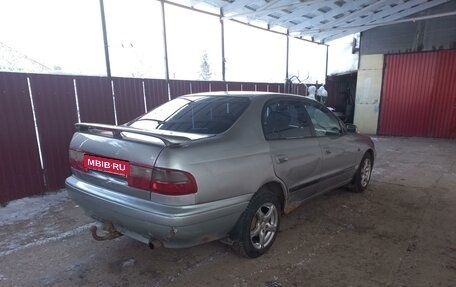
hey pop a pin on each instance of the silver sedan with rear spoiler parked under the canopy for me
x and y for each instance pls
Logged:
(214, 166)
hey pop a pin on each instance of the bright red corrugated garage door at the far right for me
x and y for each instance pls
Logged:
(419, 95)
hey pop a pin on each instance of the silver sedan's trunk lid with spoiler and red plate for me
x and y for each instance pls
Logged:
(114, 154)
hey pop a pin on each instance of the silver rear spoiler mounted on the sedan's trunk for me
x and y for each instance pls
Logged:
(117, 130)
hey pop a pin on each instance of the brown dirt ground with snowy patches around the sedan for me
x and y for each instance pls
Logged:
(400, 232)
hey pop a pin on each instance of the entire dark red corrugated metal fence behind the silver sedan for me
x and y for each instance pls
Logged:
(58, 101)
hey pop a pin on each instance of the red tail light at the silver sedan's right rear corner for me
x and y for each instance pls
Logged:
(161, 180)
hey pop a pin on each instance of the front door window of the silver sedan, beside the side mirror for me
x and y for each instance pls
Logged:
(324, 122)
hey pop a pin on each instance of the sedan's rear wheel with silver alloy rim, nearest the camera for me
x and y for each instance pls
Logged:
(258, 225)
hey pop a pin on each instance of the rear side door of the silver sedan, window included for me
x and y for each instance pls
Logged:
(295, 151)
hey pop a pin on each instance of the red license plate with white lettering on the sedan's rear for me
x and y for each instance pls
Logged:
(107, 164)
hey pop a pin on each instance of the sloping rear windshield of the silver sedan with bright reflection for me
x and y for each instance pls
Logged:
(199, 115)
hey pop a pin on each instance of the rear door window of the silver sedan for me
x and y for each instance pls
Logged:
(285, 119)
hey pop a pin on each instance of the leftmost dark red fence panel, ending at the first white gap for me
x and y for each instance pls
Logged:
(20, 169)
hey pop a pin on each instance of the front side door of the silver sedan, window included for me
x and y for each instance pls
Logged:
(339, 150)
